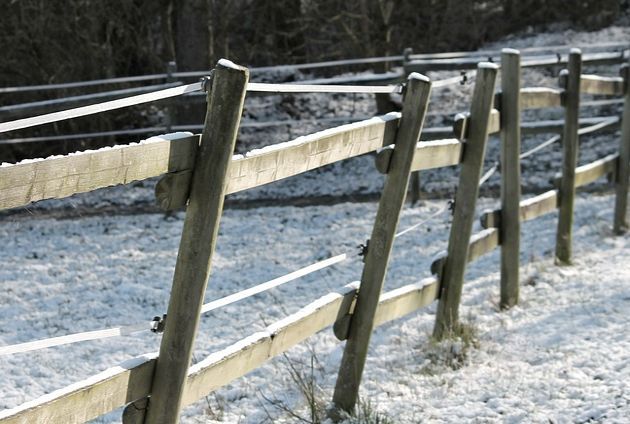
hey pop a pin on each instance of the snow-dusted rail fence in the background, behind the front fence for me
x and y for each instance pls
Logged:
(466, 62)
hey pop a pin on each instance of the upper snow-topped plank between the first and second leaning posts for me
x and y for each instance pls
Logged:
(291, 158)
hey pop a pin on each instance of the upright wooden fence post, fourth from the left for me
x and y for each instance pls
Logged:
(510, 233)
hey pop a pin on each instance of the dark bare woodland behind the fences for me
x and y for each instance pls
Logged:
(53, 41)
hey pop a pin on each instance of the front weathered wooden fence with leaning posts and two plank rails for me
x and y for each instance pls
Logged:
(198, 171)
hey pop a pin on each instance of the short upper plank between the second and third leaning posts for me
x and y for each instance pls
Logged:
(428, 155)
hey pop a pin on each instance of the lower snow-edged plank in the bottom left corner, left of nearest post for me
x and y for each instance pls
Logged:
(90, 398)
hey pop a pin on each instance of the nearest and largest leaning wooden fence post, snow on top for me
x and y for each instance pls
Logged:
(199, 235)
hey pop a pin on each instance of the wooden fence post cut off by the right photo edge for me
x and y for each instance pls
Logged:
(623, 171)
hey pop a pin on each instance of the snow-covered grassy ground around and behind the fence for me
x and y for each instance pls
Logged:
(562, 355)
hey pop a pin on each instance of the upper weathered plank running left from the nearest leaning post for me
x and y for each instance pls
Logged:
(62, 176)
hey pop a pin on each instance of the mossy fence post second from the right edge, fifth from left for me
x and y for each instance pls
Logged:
(570, 146)
